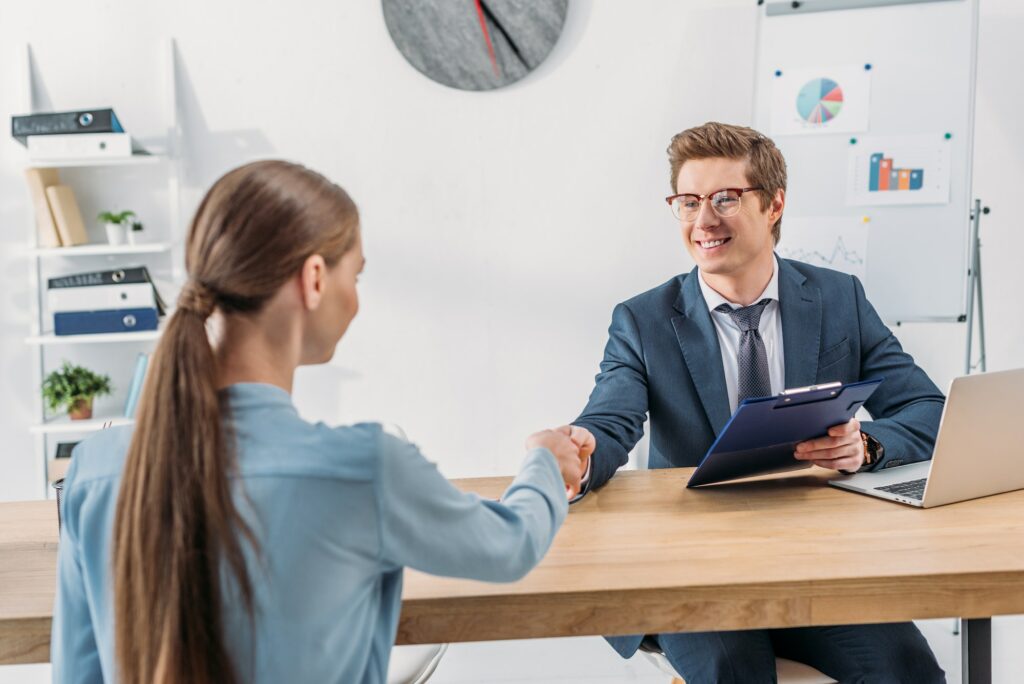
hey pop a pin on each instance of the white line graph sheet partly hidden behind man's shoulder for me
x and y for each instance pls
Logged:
(839, 243)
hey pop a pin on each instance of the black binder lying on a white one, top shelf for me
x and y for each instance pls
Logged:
(74, 136)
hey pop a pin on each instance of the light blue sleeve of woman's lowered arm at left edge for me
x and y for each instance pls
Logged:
(73, 639)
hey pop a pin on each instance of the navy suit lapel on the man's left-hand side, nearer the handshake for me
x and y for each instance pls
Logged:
(699, 343)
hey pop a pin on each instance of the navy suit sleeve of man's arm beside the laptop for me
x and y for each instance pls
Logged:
(908, 407)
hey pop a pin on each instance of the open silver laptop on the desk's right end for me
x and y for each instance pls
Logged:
(978, 451)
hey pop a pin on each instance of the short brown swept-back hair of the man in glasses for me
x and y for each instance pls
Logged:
(765, 166)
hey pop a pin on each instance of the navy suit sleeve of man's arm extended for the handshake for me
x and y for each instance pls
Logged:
(618, 406)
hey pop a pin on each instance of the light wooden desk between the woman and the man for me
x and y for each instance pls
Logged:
(645, 554)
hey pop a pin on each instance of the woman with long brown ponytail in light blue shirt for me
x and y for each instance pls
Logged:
(225, 540)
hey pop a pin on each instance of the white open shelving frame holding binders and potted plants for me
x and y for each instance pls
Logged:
(115, 351)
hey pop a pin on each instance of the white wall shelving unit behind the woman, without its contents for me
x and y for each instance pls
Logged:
(155, 176)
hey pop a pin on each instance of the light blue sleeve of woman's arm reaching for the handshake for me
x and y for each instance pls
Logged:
(430, 525)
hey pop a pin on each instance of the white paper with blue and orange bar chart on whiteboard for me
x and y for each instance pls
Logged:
(900, 170)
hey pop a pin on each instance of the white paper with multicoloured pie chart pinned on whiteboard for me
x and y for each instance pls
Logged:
(821, 101)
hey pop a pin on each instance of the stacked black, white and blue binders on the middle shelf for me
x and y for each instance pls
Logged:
(123, 301)
